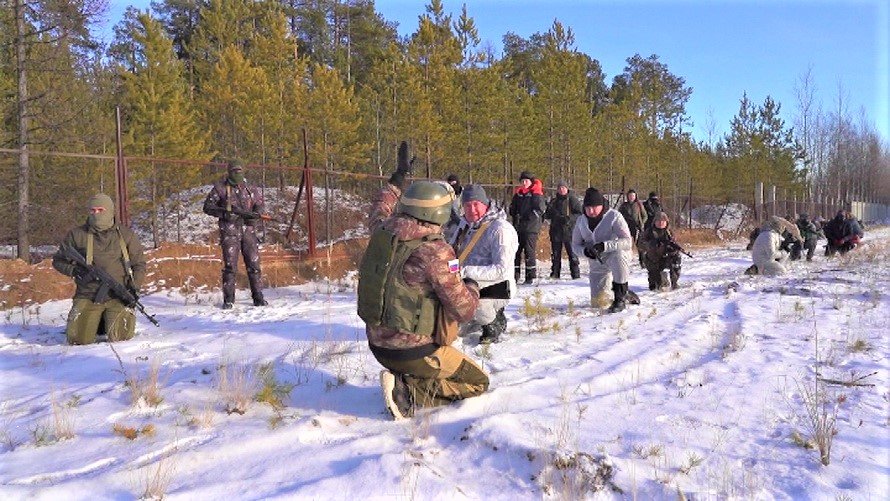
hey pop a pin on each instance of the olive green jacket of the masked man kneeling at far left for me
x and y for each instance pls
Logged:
(107, 255)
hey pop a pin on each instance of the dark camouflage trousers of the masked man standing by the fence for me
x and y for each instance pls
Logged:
(238, 239)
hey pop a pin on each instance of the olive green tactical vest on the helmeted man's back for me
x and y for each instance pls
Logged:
(384, 299)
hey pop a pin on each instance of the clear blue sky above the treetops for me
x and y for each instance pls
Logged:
(721, 48)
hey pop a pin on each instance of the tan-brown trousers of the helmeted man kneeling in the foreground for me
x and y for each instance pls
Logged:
(443, 377)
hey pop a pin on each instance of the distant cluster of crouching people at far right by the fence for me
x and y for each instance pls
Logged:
(779, 241)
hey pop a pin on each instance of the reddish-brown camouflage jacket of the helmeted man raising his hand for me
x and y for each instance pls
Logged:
(427, 269)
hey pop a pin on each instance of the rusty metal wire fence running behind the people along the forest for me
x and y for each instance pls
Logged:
(165, 199)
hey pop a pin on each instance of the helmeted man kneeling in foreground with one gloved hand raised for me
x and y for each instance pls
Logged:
(411, 297)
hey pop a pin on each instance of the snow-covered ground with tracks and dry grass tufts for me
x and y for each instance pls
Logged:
(701, 391)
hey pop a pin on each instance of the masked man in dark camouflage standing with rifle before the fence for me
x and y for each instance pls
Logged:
(239, 206)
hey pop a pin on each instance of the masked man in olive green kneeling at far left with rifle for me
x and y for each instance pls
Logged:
(107, 251)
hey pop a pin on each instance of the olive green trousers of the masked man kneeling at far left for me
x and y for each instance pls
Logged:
(85, 317)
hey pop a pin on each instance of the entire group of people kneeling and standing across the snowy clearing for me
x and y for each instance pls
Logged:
(443, 261)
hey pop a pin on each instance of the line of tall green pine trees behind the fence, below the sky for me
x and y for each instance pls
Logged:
(216, 79)
